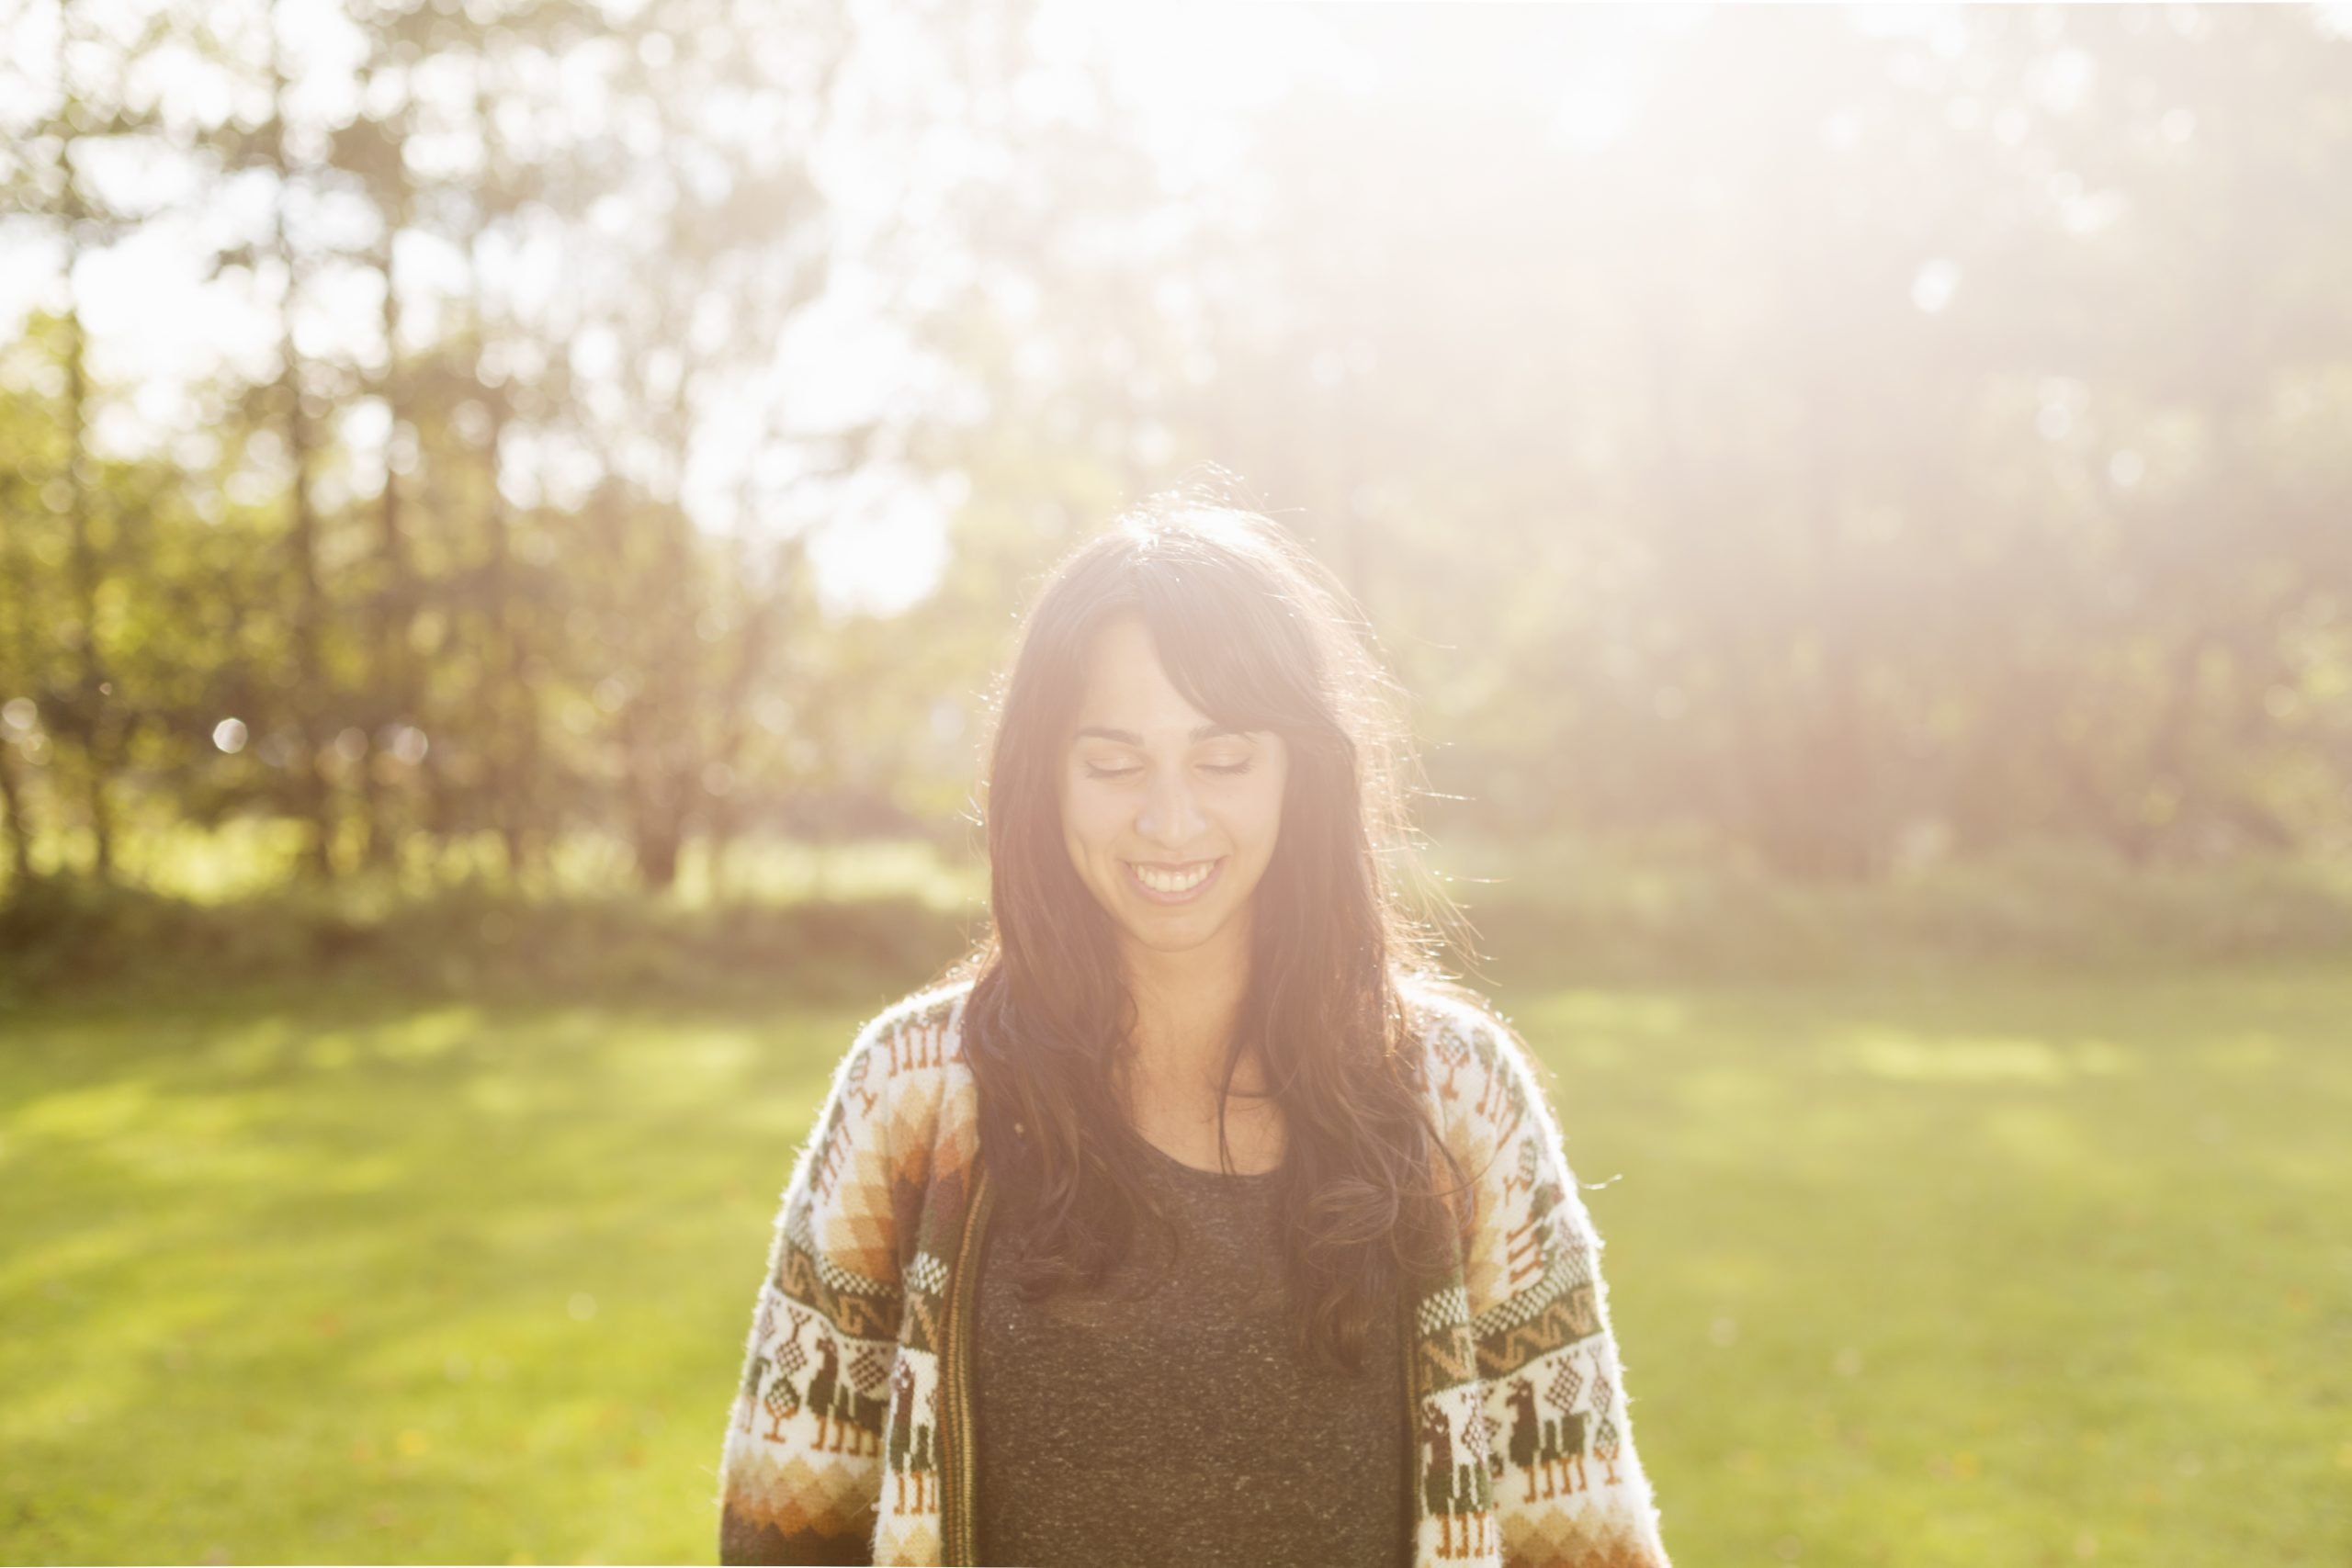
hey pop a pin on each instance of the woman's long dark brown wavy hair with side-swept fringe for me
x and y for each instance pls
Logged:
(1255, 634)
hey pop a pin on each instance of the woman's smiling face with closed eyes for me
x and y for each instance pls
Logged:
(1170, 817)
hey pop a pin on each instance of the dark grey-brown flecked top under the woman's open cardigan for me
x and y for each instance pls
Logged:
(1180, 1426)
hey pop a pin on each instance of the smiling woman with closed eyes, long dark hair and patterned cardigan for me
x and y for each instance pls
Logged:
(1194, 1219)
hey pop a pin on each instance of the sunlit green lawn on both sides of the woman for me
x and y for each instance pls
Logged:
(1979, 1273)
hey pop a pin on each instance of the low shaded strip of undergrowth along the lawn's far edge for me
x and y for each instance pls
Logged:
(1563, 913)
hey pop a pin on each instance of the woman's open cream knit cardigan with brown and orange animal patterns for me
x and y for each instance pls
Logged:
(850, 1440)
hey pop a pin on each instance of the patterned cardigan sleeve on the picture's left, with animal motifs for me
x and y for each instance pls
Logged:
(801, 1473)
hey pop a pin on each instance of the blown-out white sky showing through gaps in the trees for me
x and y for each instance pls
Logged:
(161, 326)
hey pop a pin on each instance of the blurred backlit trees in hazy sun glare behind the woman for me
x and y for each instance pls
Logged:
(1840, 443)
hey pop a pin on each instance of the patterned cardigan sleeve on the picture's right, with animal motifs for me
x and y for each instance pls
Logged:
(1570, 1487)
